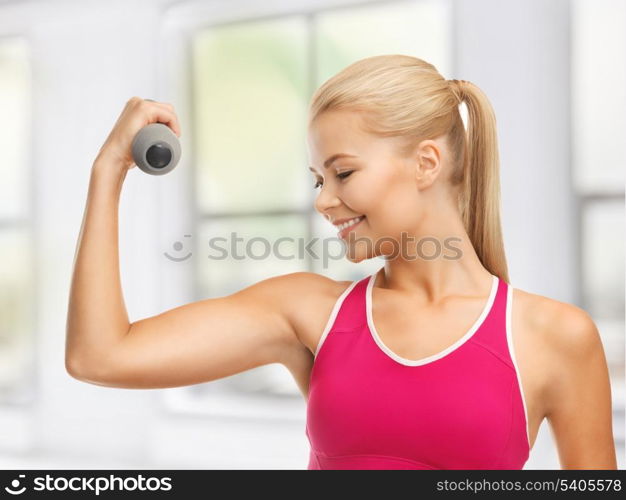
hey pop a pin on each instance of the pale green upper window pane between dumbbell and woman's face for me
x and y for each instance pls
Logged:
(250, 97)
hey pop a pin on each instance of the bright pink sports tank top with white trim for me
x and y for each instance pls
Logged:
(462, 408)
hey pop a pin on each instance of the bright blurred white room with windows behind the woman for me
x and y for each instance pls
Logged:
(240, 74)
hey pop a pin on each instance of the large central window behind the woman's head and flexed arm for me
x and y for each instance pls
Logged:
(252, 82)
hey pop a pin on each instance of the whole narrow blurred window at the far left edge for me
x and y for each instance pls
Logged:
(16, 277)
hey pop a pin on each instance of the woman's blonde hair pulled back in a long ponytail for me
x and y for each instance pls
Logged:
(405, 97)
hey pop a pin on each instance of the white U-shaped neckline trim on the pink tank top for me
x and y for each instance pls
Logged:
(439, 355)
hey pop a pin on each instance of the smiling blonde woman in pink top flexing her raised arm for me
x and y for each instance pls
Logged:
(434, 361)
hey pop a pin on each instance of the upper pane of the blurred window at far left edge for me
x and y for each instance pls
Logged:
(15, 106)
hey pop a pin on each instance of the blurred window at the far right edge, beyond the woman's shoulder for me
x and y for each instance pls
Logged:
(599, 161)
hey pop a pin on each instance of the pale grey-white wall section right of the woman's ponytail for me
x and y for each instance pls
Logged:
(518, 53)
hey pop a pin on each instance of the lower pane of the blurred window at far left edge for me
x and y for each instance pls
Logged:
(16, 315)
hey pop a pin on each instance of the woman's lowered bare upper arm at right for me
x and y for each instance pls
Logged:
(579, 407)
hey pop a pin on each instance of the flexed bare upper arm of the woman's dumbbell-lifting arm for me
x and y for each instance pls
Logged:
(205, 340)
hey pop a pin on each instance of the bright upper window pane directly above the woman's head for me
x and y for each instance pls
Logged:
(413, 28)
